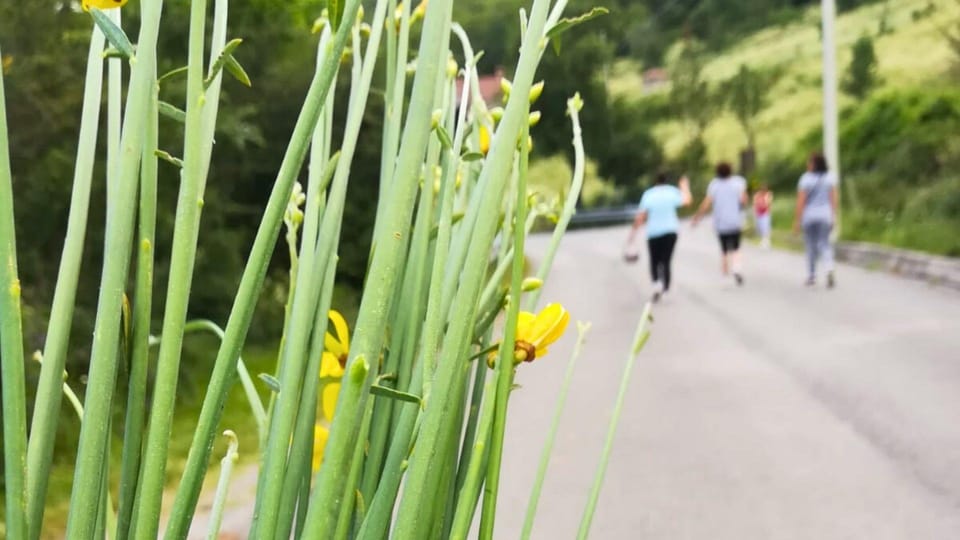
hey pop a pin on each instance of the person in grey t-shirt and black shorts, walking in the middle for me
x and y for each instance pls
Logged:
(727, 195)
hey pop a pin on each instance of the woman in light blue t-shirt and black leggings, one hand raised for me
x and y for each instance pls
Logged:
(658, 215)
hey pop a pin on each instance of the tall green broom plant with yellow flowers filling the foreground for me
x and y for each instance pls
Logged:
(416, 393)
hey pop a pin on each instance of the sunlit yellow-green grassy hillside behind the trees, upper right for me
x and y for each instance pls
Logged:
(912, 52)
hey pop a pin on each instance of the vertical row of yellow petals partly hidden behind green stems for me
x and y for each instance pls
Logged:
(334, 359)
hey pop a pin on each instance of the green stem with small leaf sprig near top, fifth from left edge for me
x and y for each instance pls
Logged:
(183, 255)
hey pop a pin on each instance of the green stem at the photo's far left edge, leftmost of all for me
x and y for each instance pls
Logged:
(11, 349)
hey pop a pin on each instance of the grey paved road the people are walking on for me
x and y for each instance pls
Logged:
(772, 411)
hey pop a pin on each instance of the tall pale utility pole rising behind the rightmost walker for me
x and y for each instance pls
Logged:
(831, 145)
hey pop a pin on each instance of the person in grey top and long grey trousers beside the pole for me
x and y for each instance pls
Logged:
(816, 214)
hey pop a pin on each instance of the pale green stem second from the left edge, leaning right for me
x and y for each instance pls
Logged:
(46, 407)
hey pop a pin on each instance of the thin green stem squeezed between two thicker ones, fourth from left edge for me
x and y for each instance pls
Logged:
(142, 317)
